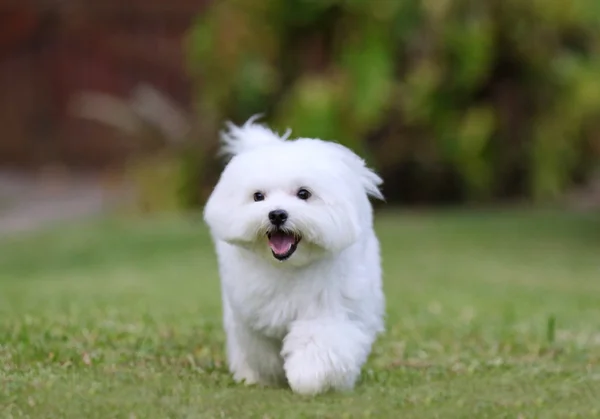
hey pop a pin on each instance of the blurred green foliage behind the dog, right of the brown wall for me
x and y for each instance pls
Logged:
(500, 97)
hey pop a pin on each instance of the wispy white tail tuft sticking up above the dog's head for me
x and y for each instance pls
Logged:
(251, 135)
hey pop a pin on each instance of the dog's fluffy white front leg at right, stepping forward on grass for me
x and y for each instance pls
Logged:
(324, 354)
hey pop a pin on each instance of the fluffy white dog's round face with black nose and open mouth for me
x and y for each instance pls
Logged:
(296, 201)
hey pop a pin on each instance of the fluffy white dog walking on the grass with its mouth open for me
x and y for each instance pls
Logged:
(298, 259)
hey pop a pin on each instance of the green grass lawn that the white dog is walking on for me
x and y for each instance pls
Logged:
(489, 315)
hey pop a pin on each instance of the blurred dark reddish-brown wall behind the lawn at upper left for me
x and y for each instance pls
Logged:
(48, 55)
